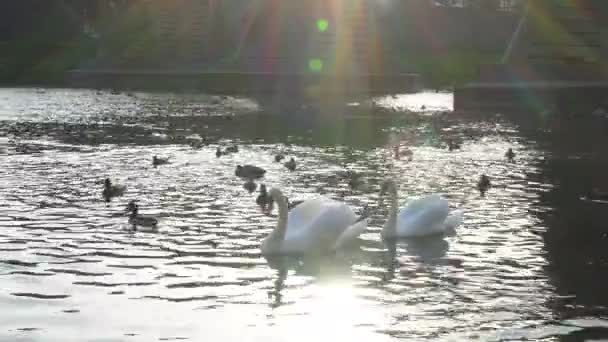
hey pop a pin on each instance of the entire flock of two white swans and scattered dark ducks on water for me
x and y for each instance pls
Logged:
(322, 224)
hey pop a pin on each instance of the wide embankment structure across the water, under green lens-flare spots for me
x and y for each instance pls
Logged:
(286, 47)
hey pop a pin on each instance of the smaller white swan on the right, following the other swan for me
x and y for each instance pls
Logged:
(429, 215)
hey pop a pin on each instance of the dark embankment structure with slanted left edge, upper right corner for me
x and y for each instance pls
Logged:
(553, 61)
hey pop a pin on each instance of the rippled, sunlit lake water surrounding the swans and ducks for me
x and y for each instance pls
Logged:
(529, 262)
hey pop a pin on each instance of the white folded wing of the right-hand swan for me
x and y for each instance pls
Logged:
(424, 216)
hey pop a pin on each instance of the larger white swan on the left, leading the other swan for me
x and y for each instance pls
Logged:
(316, 225)
